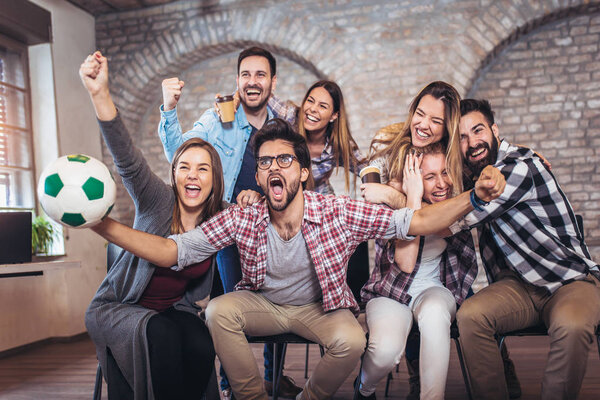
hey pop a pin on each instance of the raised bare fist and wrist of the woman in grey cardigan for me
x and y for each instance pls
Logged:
(94, 75)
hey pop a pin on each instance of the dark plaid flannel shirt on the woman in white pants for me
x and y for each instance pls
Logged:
(458, 268)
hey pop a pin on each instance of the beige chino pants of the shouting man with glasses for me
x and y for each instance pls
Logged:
(233, 315)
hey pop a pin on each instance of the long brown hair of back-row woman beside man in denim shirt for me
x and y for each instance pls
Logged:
(342, 142)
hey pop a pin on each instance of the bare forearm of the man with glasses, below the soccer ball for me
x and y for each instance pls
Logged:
(158, 250)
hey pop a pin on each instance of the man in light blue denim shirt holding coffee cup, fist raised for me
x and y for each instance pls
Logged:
(256, 79)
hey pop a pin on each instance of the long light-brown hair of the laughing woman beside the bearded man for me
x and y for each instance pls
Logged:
(396, 147)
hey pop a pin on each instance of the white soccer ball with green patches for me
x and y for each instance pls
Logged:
(77, 191)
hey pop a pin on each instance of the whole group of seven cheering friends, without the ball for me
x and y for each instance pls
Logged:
(461, 218)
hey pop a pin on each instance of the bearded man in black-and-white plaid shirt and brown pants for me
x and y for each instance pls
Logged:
(534, 252)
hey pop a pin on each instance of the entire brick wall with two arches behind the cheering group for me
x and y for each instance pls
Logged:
(380, 52)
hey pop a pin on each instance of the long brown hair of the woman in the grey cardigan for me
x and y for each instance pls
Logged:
(214, 202)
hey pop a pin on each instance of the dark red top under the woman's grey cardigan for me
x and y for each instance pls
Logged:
(167, 286)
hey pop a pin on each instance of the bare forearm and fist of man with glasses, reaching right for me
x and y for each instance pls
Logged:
(436, 217)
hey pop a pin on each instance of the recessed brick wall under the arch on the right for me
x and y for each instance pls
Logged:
(545, 89)
